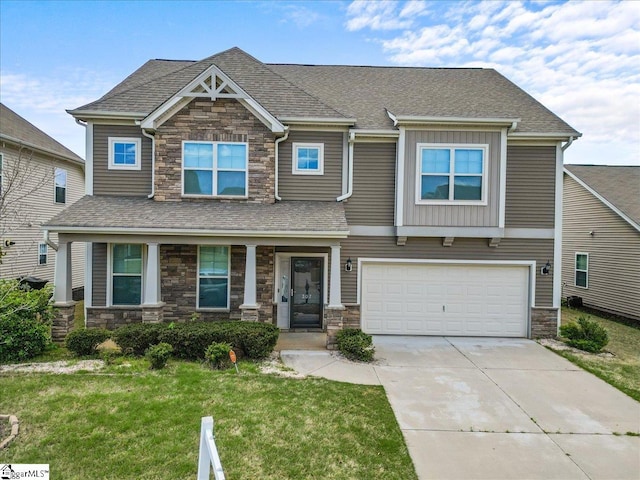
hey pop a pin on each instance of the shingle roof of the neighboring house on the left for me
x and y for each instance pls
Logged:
(15, 128)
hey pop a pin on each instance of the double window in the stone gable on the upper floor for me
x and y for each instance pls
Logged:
(214, 169)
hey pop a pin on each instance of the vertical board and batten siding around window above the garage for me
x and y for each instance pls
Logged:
(452, 215)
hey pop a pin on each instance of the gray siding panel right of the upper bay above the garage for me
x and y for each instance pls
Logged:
(530, 196)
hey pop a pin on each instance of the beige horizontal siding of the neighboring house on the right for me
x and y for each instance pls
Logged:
(613, 278)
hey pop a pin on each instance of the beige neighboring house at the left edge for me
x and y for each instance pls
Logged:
(39, 178)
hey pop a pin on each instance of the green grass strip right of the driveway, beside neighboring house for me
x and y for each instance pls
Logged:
(623, 369)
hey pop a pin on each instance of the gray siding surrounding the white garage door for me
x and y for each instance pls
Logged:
(536, 250)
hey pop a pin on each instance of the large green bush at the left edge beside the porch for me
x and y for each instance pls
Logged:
(25, 321)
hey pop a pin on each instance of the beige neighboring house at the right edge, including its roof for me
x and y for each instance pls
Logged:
(601, 237)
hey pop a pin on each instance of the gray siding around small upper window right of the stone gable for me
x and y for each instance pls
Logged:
(325, 187)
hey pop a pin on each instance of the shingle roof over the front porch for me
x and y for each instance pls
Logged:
(143, 214)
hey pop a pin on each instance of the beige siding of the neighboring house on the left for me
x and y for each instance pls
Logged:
(34, 209)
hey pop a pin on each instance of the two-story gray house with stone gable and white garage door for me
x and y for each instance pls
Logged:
(412, 201)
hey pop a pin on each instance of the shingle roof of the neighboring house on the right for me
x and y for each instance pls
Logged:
(619, 185)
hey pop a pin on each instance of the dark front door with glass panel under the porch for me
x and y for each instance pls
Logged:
(306, 292)
